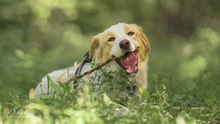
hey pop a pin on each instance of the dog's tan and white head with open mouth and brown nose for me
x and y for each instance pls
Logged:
(124, 41)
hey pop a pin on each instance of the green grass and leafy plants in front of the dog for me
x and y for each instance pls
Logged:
(194, 102)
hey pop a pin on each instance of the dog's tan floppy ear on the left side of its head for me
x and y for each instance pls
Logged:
(94, 46)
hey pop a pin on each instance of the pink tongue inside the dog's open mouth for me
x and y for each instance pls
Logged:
(129, 61)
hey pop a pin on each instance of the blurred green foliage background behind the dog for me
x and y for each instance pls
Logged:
(39, 36)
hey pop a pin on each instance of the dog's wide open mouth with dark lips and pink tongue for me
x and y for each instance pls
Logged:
(129, 63)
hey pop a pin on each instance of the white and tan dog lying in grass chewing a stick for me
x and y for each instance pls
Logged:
(126, 42)
